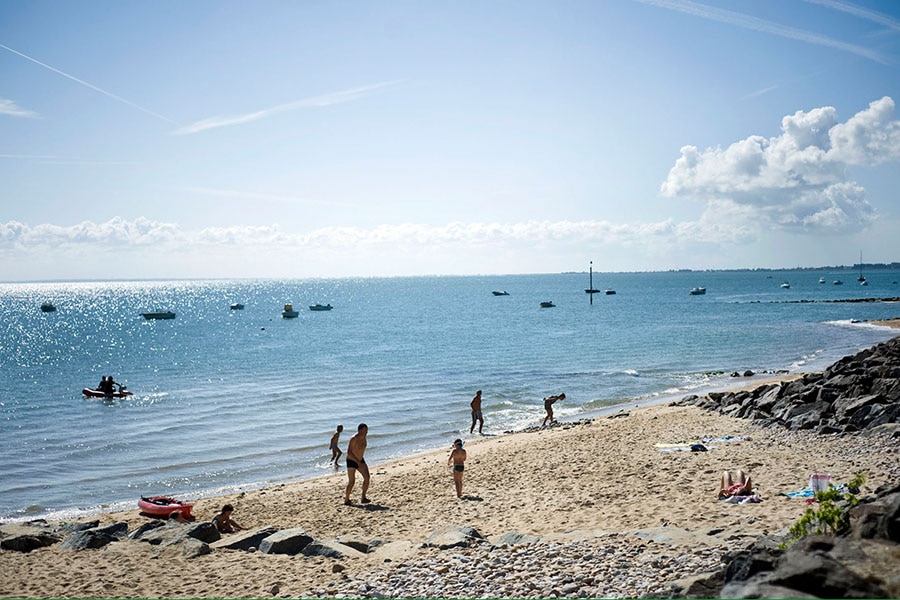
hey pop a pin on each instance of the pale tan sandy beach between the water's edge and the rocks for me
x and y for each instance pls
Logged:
(574, 482)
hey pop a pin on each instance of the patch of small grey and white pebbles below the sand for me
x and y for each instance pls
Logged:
(604, 567)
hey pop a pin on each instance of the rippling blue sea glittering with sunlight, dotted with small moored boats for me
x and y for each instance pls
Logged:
(227, 400)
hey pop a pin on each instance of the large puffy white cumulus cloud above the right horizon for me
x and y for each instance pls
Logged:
(797, 180)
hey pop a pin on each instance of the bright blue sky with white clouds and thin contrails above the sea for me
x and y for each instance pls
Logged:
(305, 139)
